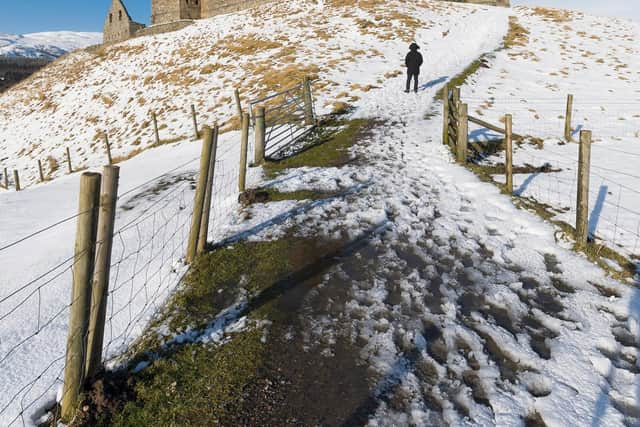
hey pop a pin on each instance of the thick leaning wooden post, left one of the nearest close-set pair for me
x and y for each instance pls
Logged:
(83, 266)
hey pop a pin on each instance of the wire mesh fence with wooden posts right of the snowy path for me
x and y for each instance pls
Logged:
(546, 161)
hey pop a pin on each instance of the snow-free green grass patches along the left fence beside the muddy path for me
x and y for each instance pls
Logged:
(192, 383)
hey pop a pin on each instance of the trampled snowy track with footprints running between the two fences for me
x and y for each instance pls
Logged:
(461, 309)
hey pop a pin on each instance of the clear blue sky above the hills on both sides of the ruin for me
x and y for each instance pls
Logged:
(27, 16)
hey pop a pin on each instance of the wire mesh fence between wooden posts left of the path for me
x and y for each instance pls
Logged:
(152, 228)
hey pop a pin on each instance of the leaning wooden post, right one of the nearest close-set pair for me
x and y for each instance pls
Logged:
(106, 223)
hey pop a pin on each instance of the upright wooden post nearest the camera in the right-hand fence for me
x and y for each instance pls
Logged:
(582, 209)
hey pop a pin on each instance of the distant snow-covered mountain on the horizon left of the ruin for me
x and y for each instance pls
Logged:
(48, 45)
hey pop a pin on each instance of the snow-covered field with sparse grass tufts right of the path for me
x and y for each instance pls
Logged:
(597, 62)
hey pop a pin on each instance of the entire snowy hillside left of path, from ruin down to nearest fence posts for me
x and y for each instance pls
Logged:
(114, 89)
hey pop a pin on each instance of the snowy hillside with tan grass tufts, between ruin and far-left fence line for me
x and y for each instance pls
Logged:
(113, 89)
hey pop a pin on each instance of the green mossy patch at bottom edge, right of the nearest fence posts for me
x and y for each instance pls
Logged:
(198, 385)
